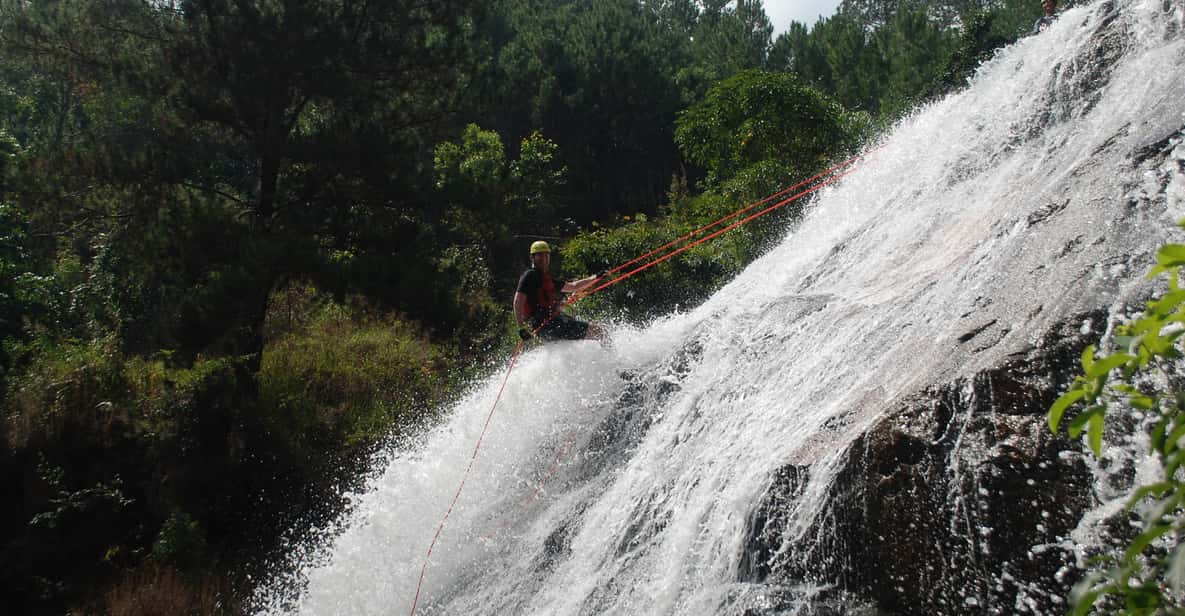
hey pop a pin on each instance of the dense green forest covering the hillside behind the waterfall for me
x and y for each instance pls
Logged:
(248, 245)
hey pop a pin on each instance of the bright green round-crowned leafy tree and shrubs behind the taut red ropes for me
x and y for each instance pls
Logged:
(755, 134)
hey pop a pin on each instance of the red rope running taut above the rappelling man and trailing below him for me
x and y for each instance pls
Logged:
(578, 297)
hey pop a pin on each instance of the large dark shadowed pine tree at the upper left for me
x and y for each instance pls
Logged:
(300, 123)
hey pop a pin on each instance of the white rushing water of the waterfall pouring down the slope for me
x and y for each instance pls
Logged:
(620, 480)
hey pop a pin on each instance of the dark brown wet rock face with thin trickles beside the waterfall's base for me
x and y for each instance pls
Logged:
(959, 502)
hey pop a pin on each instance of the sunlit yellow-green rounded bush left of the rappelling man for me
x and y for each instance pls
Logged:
(347, 380)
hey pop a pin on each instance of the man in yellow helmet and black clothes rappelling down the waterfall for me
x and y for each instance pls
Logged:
(539, 301)
